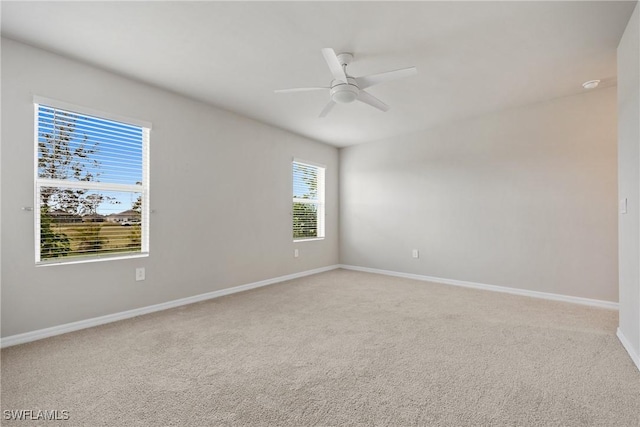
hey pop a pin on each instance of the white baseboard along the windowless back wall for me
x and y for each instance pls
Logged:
(504, 289)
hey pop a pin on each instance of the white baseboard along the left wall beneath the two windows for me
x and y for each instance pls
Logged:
(88, 323)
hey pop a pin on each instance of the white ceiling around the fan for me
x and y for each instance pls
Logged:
(472, 57)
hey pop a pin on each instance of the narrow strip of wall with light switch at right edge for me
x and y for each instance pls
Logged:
(629, 180)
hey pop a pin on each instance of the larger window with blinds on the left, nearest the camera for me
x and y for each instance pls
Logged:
(92, 186)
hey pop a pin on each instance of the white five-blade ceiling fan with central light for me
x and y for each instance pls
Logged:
(345, 88)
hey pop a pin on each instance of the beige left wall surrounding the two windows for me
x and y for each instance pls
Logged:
(220, 188)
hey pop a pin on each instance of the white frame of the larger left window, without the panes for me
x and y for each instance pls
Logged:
(143, 189)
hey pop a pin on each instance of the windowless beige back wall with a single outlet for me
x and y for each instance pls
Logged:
(524, 198)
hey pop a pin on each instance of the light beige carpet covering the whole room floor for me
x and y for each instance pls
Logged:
(338, 348)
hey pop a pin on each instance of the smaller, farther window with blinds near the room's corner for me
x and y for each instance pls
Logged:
(308, 200)
